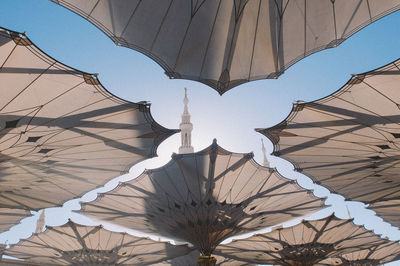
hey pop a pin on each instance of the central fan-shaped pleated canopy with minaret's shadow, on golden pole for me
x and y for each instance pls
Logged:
(204, 198)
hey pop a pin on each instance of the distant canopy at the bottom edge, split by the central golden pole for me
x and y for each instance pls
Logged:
(191, 260)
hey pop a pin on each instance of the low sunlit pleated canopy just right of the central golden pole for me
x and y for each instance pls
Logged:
(306, 243)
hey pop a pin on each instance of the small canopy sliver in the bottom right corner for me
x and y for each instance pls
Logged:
(375, 255)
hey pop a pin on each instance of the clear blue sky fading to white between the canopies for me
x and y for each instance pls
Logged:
(230, 118)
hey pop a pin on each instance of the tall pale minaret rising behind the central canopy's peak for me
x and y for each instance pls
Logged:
(186, 129)
